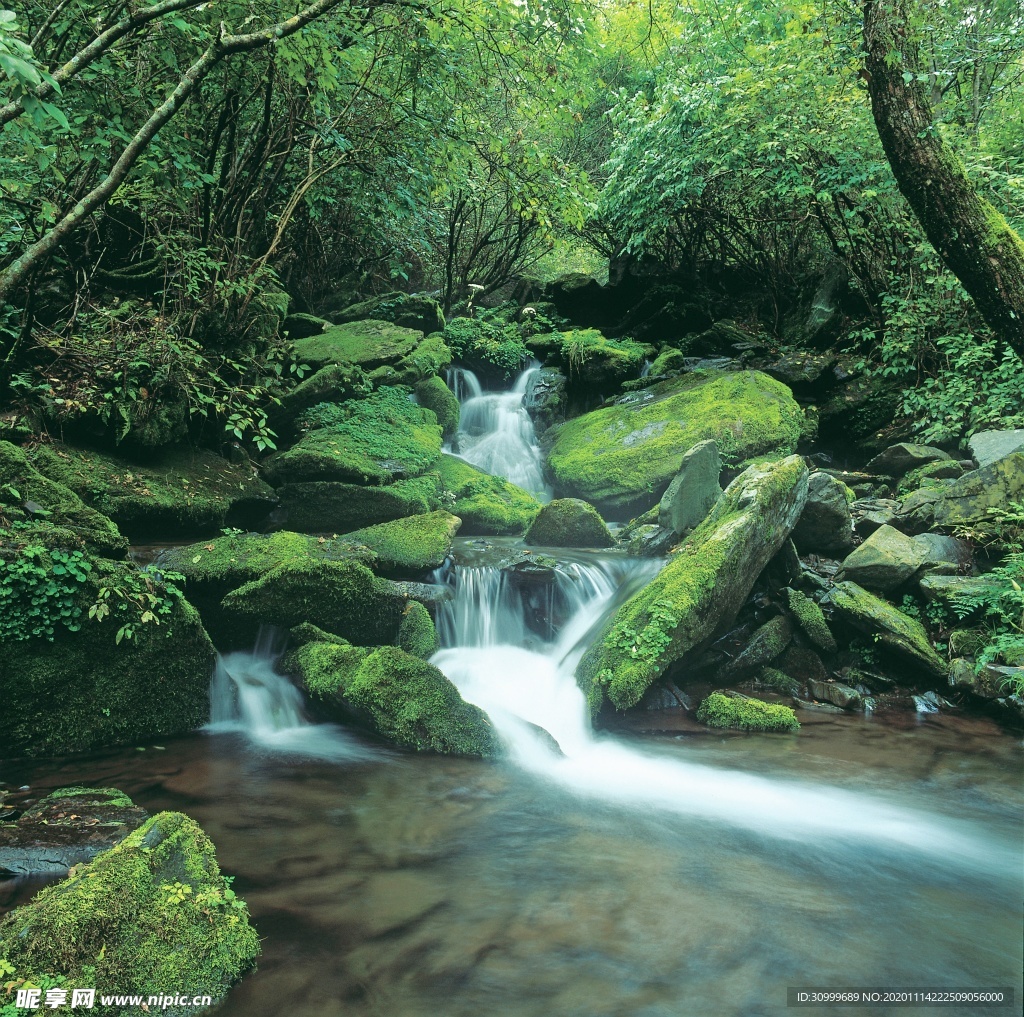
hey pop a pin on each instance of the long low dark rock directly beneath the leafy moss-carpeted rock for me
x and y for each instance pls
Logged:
(332, 507)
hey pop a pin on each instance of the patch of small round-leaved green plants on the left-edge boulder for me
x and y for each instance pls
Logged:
(40, 590)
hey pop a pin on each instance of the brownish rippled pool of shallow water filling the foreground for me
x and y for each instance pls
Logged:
(398, 885)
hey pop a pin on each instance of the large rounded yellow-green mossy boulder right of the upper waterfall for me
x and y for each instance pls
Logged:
(622, 458)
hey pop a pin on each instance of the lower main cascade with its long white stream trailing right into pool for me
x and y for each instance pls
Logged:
(529, 692)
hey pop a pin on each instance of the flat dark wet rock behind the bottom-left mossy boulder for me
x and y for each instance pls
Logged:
(69, 826)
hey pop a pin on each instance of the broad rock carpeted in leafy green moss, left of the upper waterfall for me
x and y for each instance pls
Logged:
(379, 440)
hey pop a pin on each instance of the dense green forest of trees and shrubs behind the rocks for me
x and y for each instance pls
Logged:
(176, 177)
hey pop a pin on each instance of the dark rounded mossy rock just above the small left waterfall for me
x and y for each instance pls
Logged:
(344, 598)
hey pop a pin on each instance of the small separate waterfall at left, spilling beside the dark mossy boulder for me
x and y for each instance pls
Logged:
(249, 696)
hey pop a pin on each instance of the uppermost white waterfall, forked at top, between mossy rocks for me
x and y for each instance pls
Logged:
(496, 433)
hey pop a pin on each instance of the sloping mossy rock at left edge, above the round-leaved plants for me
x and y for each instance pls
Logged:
(27, 496)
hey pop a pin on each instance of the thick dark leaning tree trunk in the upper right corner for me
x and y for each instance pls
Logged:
(973, 239)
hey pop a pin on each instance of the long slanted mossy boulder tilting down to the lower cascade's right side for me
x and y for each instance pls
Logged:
(702, 589)
